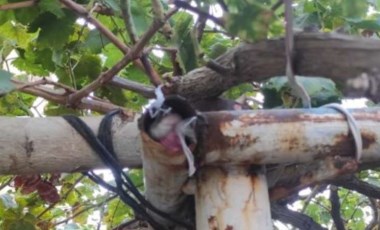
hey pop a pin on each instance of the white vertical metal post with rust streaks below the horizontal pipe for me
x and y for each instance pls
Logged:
(232, 198)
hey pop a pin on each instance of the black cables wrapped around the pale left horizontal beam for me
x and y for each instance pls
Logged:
(103, 146)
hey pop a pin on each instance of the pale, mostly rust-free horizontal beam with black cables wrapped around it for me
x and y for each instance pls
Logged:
(40, 145)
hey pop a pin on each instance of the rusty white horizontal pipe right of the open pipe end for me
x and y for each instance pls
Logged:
(286, 136)
